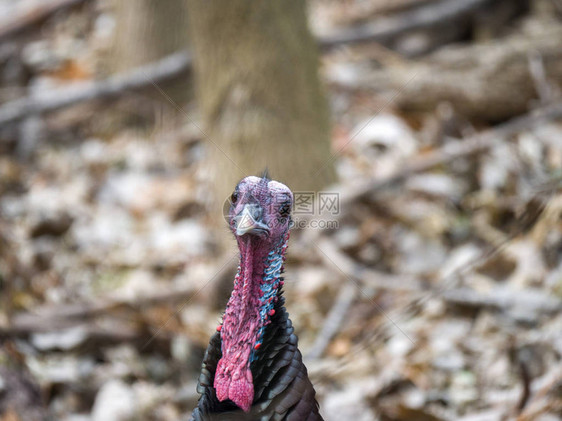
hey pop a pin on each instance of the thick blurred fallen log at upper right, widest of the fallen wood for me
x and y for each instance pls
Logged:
(477, 79)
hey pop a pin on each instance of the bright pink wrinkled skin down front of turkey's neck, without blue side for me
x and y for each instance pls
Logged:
(241, 325)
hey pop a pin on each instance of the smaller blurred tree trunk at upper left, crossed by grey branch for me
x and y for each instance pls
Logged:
(147, 30)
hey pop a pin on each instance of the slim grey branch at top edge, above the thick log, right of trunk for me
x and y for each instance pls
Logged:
(385, 29)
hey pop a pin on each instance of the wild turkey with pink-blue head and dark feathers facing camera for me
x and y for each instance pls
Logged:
(252, 369)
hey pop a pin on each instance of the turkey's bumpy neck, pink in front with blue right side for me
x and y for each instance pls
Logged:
(250, 307)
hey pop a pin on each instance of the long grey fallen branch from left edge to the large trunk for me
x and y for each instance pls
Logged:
(55, 99)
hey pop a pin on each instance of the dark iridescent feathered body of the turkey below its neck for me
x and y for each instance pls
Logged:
(283, 390)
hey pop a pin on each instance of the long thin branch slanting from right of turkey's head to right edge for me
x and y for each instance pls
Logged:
(451, 151)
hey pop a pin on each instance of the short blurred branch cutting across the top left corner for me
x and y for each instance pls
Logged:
(12, 25)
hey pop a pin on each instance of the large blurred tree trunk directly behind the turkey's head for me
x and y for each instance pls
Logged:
(256, 69)
